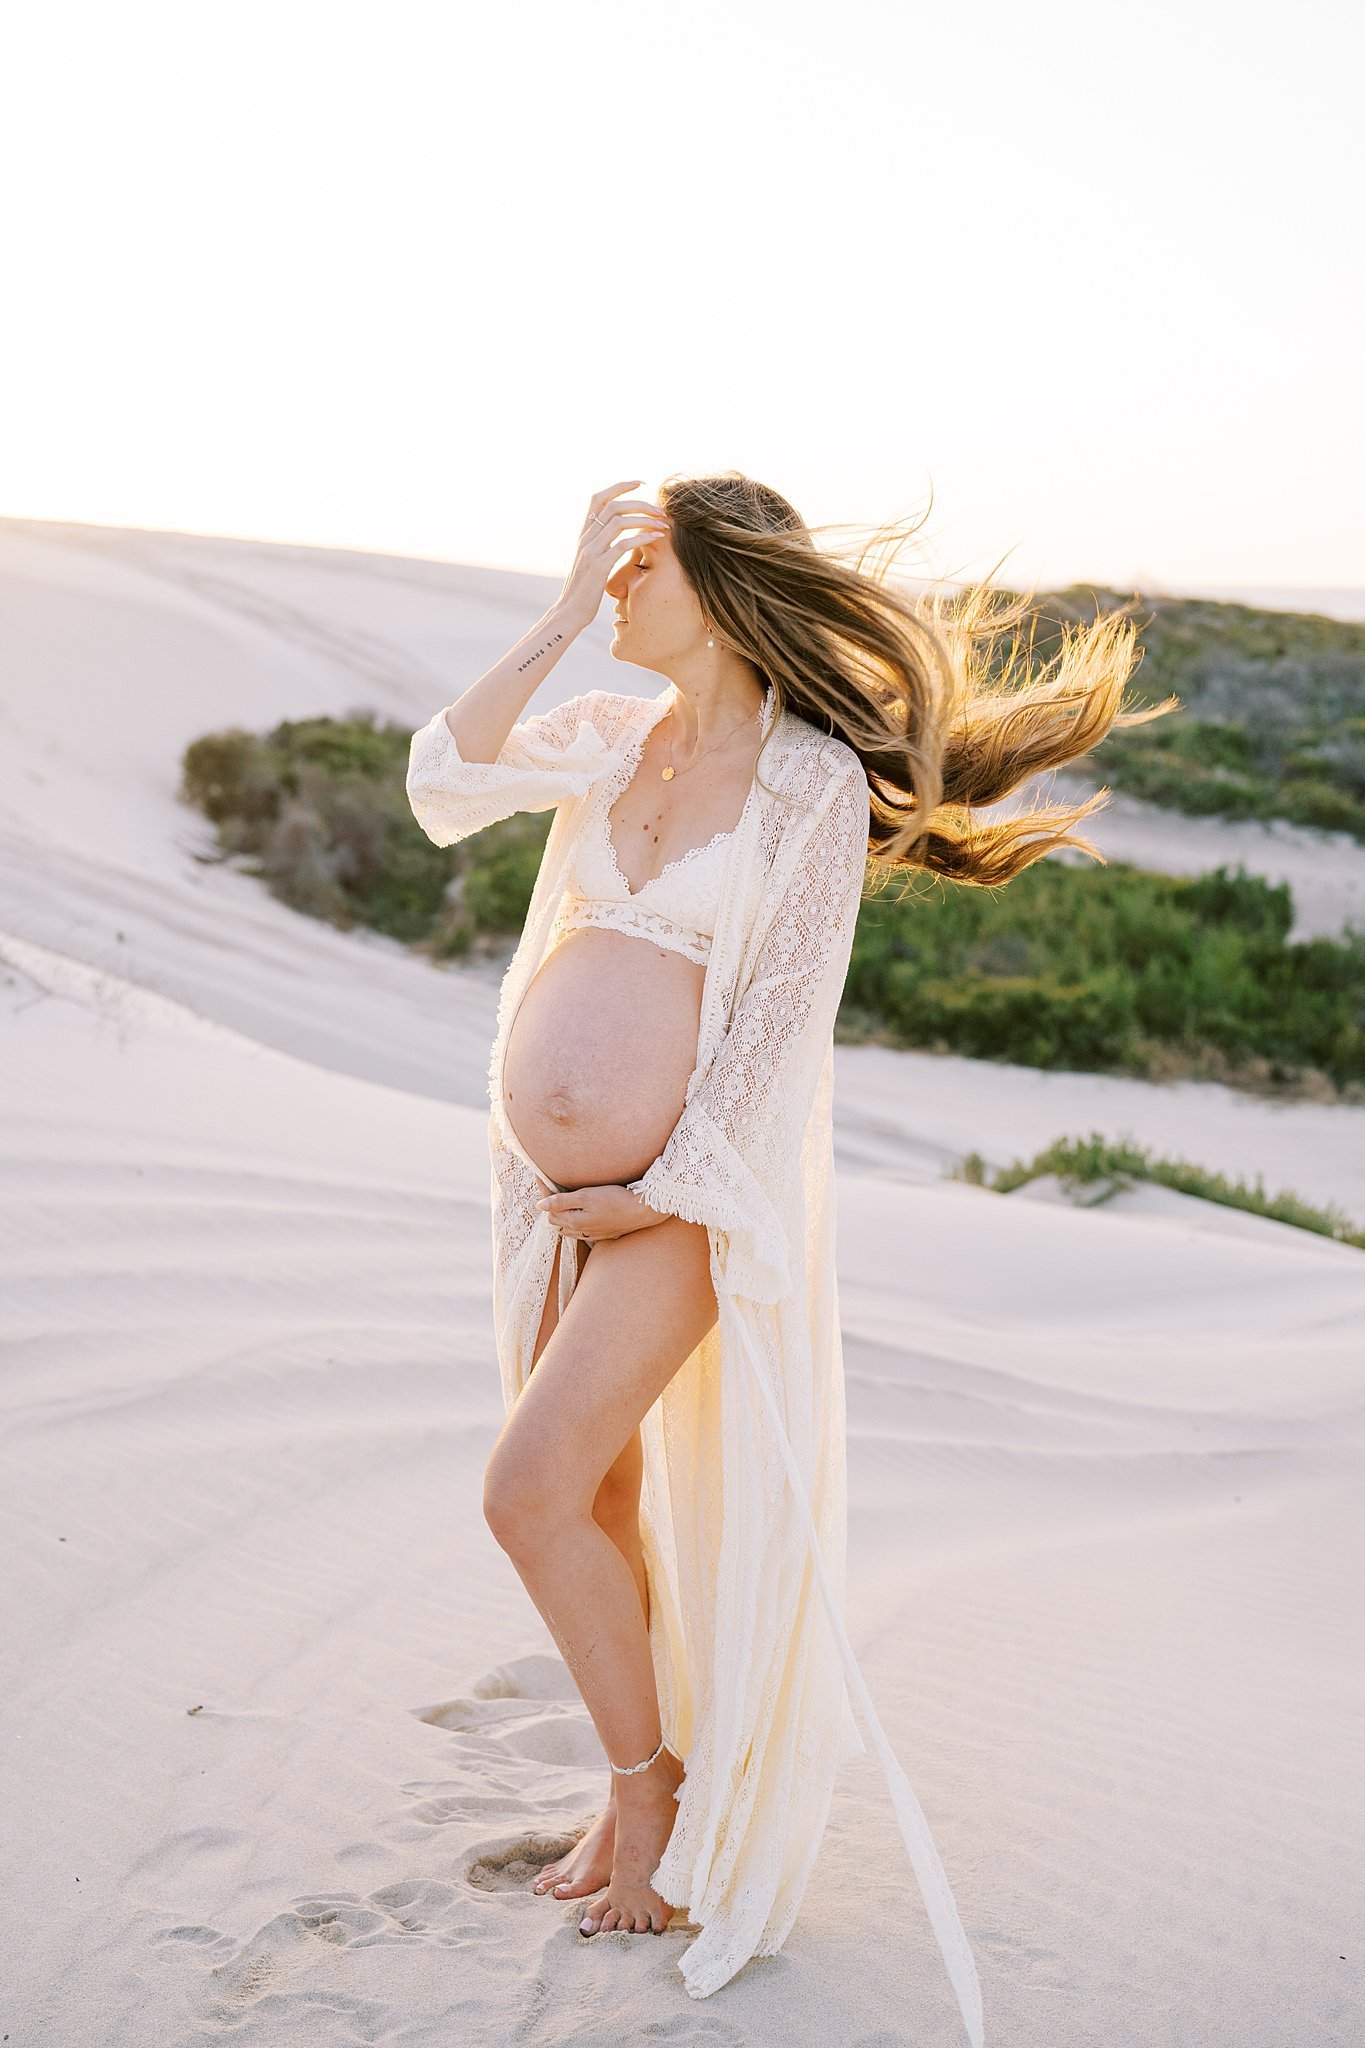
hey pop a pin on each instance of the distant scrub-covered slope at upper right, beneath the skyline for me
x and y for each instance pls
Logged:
(1272, 718)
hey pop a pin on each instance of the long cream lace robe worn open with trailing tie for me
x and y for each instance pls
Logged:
(744, 1498)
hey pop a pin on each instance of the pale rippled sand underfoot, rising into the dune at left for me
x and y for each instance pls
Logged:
(1106, 1463)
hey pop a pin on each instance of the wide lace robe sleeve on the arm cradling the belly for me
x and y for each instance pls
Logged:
(736, 1150)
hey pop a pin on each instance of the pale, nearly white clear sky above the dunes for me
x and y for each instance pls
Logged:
(423, 278)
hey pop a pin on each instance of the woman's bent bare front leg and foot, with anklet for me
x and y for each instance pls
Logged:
(642, 1308)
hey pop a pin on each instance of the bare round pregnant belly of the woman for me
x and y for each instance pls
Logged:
(601, 1054)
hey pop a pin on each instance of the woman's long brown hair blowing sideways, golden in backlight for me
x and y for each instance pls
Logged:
(916, 683)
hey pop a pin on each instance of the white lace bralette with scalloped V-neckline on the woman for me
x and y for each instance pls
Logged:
(676, 908)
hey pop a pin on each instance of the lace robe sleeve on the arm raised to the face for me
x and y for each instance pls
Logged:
(543, 761)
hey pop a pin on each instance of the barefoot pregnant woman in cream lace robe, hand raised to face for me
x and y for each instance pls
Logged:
(670, 1482)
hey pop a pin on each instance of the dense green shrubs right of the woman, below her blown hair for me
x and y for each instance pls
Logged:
(1112, 970)
